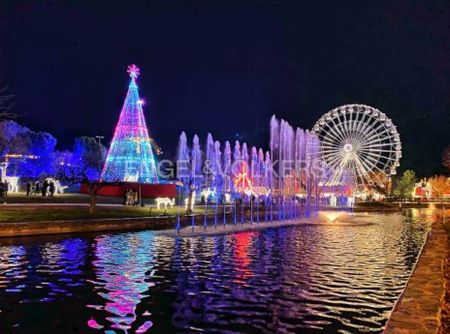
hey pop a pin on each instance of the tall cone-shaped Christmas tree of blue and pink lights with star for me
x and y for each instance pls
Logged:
(130, 156)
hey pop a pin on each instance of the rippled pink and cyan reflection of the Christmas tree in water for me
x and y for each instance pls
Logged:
(124, 269)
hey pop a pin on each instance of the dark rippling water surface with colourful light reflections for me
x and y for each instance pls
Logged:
(308, 279)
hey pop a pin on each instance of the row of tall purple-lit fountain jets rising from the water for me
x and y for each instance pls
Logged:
(289, 176)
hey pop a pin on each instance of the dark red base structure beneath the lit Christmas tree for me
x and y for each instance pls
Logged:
(118, 189)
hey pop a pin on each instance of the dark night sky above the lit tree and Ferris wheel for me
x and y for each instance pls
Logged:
(226, 67)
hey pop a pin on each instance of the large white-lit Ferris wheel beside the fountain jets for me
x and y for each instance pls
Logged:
(359, 140)
